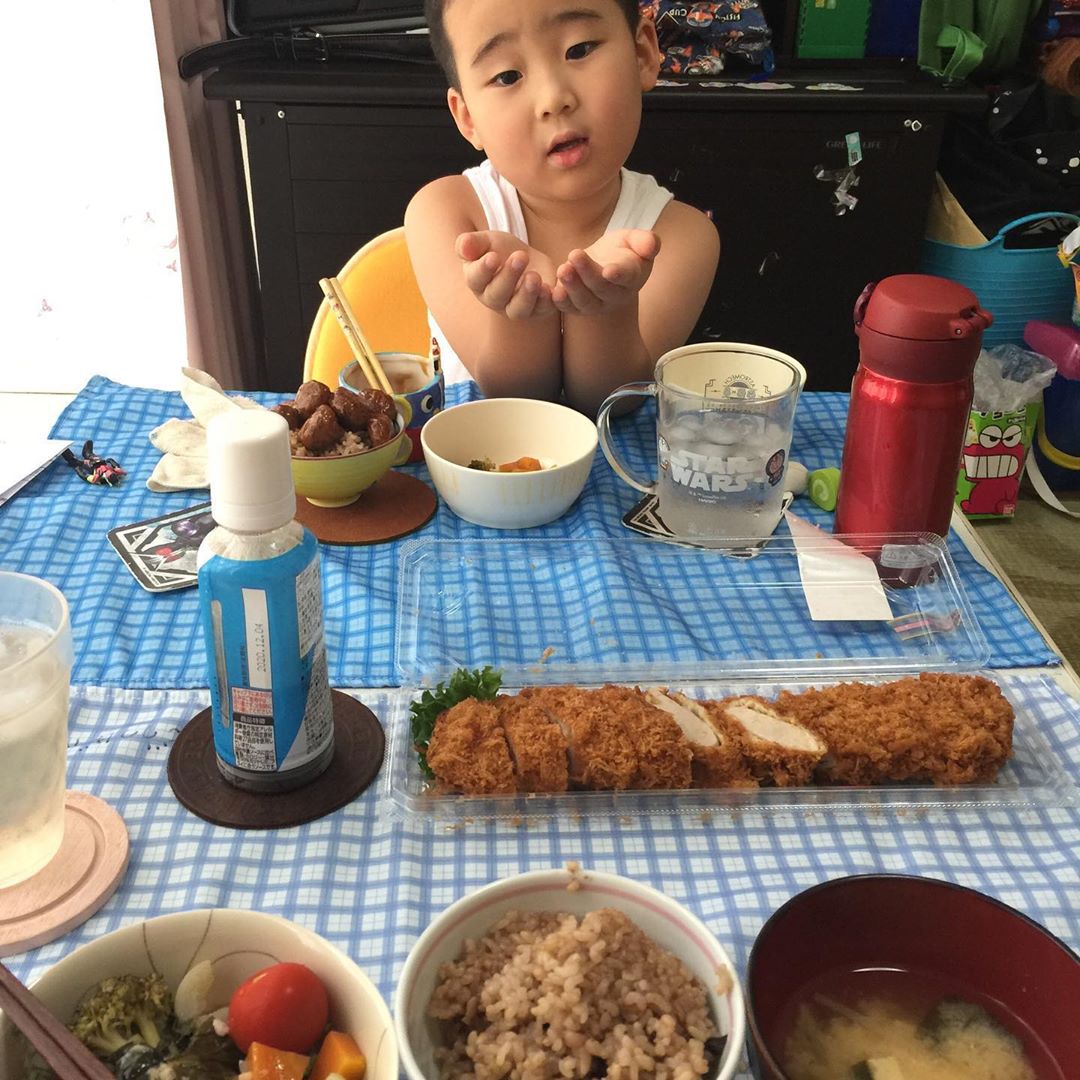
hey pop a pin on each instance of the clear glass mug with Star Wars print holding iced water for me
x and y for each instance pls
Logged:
(725, 414)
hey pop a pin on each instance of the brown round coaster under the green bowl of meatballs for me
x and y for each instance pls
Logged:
(391, 508)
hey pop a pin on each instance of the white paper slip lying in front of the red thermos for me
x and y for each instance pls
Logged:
(840, 583)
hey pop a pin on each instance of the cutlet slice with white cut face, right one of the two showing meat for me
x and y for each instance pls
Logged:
(776, 748)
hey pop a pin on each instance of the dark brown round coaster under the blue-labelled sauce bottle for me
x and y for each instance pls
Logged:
(359, 744)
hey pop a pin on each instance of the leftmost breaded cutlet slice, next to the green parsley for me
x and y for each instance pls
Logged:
(468, 750)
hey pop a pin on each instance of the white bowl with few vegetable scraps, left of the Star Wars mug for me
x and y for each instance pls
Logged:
(505, 429)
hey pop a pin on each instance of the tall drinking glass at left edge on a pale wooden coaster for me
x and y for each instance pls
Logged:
(35, 679)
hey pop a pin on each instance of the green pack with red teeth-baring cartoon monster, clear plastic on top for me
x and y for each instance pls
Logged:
(1009, 385)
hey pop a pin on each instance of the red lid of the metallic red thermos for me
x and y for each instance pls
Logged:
(920, 328)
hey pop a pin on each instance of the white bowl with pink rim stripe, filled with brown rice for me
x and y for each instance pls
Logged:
(569, 974)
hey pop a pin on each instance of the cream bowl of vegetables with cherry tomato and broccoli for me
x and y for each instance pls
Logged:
(213, 995)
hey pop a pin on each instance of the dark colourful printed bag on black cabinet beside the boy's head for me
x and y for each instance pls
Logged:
(703, 38)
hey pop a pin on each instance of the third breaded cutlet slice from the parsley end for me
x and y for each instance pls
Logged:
(601, 753)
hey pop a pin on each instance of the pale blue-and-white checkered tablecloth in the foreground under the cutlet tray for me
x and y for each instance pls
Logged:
(371, 885)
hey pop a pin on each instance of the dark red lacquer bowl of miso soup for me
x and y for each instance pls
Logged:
(928, 951)
